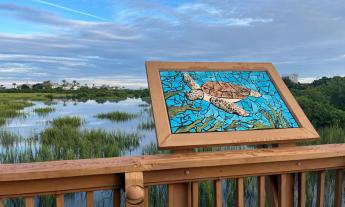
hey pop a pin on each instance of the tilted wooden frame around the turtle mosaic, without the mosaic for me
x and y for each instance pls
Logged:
(168, 140)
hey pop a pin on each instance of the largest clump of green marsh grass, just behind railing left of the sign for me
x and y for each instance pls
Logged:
(65, 140)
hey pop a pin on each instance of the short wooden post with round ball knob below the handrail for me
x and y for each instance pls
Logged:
(134, 188)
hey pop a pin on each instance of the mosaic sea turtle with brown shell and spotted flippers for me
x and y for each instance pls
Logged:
(223, 95)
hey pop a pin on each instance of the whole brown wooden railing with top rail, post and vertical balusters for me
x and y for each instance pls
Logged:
(182, 172)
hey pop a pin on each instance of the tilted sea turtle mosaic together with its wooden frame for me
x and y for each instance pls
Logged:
(198, 104)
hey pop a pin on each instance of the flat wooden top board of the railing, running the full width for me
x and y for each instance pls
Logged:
(87, 167)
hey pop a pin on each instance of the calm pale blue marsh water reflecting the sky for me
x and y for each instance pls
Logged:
(32, 123)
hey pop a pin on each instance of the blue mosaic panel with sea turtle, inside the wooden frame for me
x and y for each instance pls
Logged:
(223, 101)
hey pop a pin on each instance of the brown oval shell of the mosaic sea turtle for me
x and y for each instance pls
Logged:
(225, 90)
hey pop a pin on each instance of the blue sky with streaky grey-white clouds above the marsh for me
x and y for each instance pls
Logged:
(108, 41)
